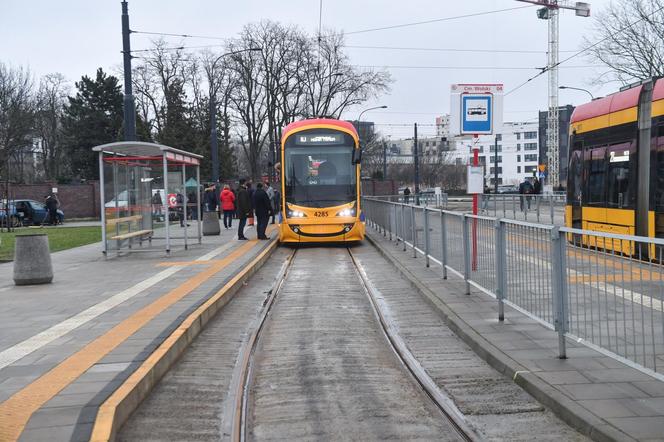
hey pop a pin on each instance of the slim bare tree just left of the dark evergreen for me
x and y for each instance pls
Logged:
(51, 100)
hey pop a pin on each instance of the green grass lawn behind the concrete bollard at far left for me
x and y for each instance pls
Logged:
(59, 238)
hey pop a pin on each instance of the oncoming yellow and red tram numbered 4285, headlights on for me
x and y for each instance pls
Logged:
(320, 182)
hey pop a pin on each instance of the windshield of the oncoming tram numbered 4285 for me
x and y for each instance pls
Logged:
(319, 169)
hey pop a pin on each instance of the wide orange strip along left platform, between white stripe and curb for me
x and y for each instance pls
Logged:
(16, 411)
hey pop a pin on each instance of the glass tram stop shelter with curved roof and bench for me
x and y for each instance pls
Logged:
(144, 189)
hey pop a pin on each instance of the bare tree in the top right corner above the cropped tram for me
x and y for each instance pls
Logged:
(631, 33)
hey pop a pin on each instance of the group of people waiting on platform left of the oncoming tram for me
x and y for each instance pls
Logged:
(243, 203)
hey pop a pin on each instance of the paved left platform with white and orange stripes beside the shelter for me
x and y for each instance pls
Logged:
(67, 346)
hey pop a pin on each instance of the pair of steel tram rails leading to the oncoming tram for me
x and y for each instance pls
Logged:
(453, 418)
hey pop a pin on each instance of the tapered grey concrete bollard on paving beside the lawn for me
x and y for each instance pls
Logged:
(32, 260)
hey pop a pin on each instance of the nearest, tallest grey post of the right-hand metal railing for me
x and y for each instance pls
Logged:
(559, 285)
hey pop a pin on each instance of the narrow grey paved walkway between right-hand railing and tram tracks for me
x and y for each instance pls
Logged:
(597, 394)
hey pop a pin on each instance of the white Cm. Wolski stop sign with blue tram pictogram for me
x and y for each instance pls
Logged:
(476, 109)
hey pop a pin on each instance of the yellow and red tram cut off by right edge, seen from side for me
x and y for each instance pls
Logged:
(615, 178)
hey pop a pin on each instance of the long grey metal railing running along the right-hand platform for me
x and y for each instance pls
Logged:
(603, 290)
